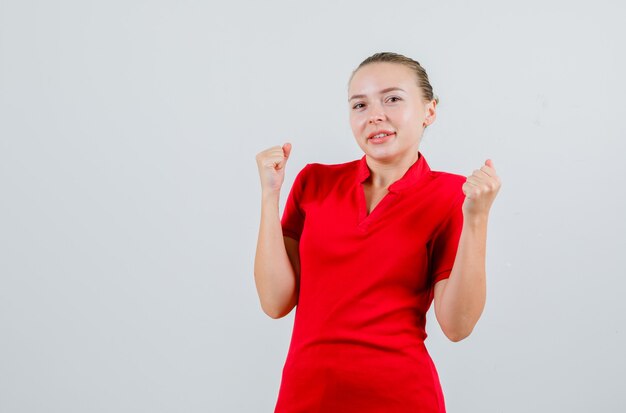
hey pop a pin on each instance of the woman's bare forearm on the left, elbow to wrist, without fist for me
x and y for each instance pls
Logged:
(273, 273)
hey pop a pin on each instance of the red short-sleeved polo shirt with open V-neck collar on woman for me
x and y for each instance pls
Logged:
(366, 283)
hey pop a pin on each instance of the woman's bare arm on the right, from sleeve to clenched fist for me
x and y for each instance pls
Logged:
(459, 300)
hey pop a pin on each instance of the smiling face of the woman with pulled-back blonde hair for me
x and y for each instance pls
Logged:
(385, 98)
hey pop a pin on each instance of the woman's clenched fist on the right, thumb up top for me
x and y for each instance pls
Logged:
(480, 189)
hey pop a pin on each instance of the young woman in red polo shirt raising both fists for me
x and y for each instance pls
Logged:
(365, 246)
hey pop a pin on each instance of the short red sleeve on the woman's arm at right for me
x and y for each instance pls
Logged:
(445, 243)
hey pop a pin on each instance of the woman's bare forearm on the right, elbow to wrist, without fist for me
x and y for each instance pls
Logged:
(462, 299)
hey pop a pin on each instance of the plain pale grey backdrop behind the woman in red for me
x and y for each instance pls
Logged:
(130, 197)
